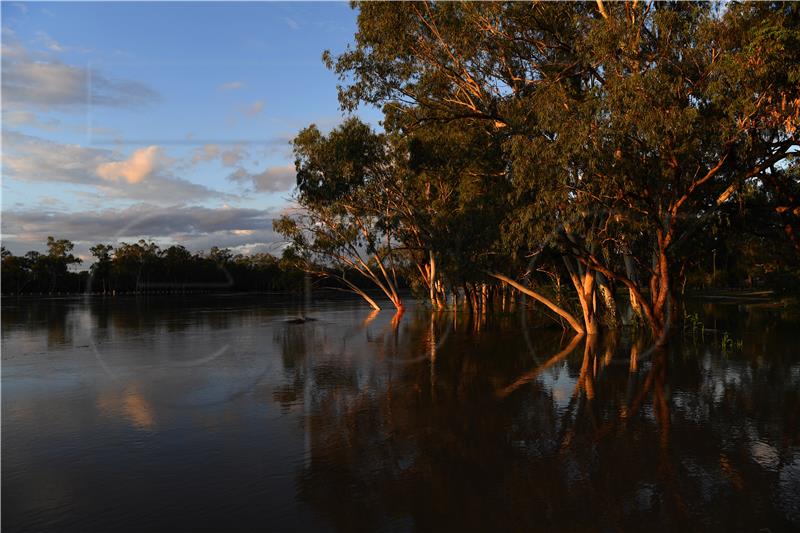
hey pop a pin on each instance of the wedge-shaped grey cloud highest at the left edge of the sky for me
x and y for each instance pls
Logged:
(46, 84)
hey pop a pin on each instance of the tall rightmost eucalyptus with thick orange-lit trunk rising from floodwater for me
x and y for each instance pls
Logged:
(685, 104)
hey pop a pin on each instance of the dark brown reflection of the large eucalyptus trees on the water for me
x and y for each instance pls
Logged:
(467, 438)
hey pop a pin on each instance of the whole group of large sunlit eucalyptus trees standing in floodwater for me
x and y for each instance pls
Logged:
(605, 137)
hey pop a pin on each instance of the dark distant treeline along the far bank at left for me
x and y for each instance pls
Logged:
(145, 267)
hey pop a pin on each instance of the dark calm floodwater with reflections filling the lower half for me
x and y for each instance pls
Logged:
(214, 414)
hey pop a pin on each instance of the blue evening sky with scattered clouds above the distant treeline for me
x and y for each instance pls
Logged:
(163, 121)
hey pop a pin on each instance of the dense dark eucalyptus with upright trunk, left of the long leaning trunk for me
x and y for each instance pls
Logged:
(452, 204)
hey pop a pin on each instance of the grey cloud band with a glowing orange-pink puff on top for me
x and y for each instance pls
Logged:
(144, 175)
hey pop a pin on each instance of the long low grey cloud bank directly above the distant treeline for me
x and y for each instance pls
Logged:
(195, 227)
